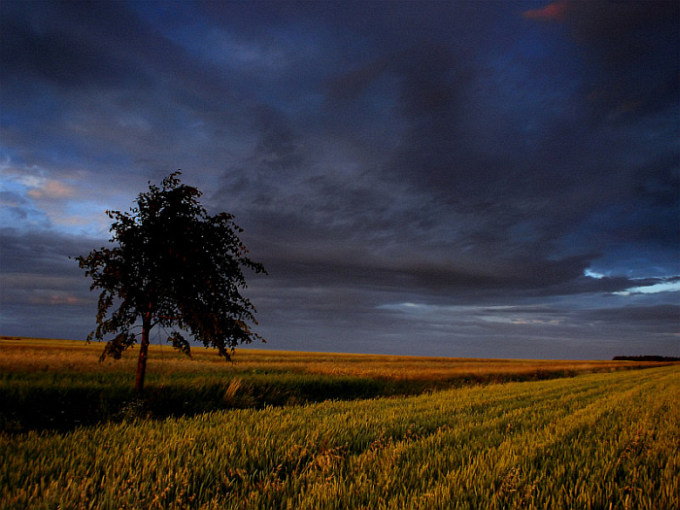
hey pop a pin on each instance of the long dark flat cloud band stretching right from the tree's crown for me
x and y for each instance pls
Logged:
(314, 263)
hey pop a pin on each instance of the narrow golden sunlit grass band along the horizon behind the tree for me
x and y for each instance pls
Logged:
(23, 354)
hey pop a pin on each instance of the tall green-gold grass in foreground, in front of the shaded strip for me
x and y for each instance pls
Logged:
(594, 441)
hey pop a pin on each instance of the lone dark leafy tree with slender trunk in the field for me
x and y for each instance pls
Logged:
(173, 266)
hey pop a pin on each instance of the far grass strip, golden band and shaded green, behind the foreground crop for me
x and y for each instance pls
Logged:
(60, 384)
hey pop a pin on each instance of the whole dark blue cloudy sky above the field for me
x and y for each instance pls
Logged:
(493, 179)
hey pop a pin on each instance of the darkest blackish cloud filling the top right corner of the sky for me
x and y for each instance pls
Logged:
(633, 50)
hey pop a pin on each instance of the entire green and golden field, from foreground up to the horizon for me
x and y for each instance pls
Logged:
(608, 438)
